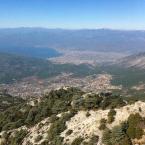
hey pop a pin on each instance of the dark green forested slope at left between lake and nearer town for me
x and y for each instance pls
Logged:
(15, 67)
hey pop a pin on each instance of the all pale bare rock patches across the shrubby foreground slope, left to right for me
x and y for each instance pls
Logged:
(81, 125)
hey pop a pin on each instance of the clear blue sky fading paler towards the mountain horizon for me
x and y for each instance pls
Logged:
(73, 14)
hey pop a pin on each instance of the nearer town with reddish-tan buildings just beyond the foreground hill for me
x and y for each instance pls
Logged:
(34, 87)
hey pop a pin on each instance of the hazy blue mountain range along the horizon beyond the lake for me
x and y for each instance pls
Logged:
(85, 39)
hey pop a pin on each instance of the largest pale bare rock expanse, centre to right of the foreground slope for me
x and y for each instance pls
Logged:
(87, 126)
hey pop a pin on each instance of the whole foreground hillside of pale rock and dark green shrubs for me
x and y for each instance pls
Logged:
(70, 116)
